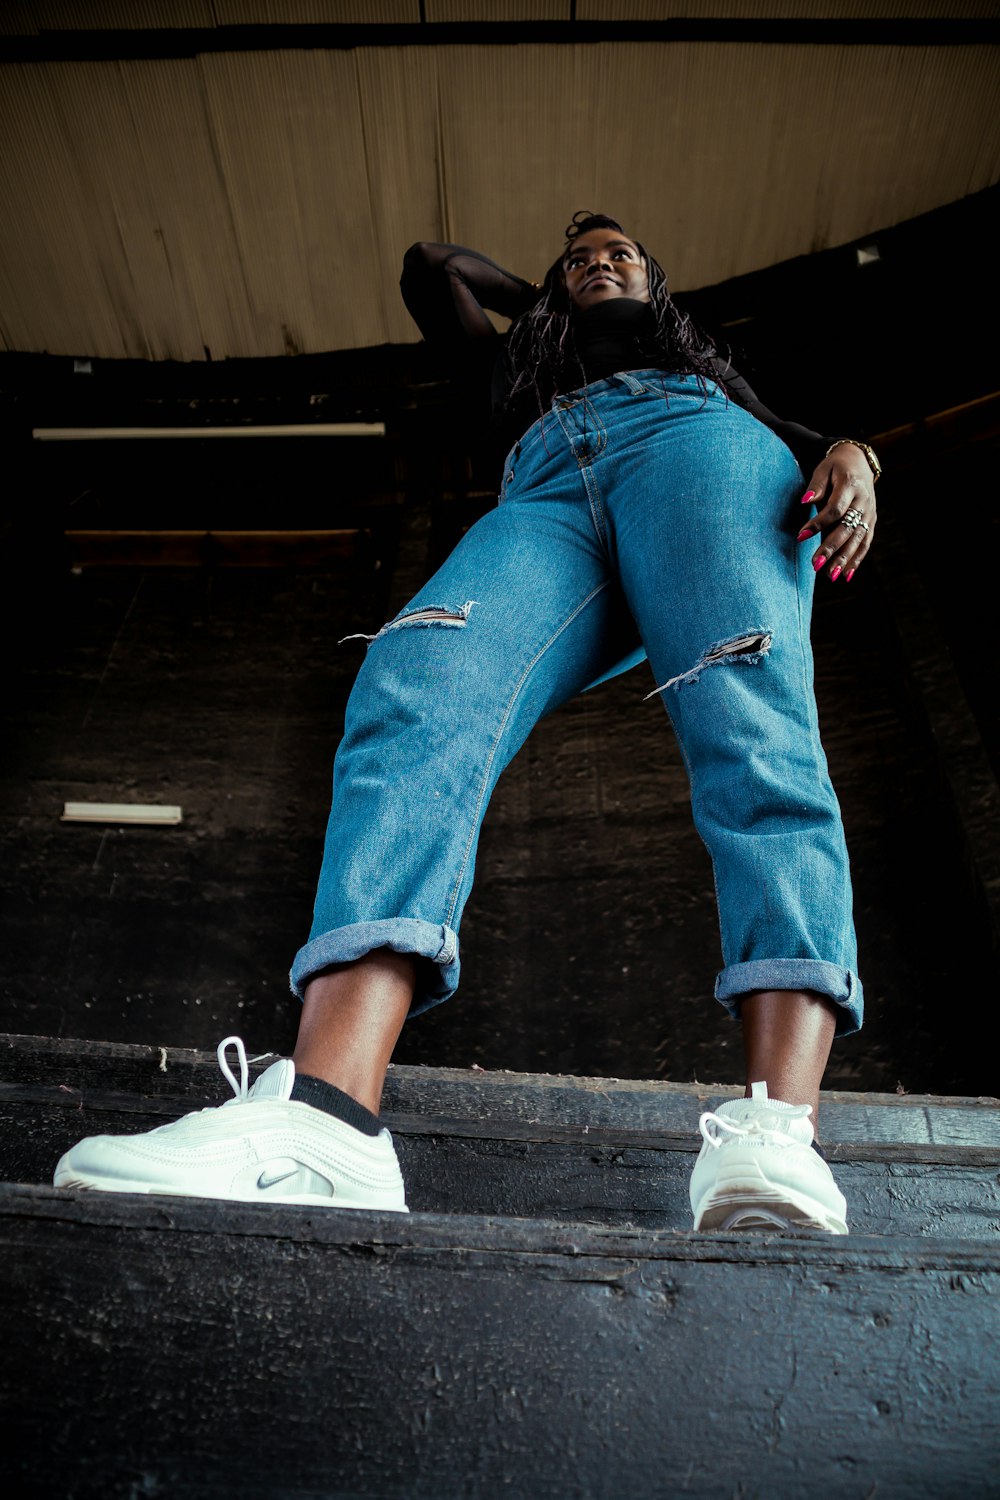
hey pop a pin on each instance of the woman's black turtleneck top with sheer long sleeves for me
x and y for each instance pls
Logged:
(446, 289)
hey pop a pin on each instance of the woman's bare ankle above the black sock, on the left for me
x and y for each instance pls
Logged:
(353, 1015)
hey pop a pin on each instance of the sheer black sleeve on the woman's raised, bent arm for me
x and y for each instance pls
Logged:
(446, 289)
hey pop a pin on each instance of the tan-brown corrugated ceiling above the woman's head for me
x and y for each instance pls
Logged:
(262, 202)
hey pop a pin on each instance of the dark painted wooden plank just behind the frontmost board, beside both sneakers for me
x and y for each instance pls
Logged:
(600, 1175)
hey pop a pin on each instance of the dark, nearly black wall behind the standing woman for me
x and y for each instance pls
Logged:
(161, 650)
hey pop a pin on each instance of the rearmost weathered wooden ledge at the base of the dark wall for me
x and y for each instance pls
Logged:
(478, 1096)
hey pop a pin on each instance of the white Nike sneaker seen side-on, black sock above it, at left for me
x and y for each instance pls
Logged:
(260, 1147)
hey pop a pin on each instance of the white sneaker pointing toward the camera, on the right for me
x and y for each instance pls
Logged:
(758, 1169)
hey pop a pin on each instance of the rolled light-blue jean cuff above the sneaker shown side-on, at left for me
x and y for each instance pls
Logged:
(437, 980)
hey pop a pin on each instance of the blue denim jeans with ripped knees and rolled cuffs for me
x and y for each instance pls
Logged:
(639, 518)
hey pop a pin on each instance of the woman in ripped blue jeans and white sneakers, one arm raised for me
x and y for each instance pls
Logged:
(647, 497)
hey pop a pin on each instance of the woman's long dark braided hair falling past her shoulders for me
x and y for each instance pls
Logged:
(542, 349)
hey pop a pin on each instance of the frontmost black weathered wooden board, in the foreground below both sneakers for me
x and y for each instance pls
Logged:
(185, 1349)
